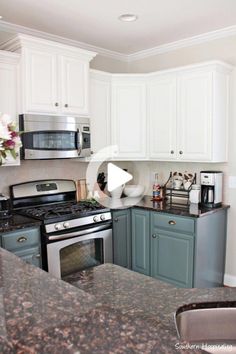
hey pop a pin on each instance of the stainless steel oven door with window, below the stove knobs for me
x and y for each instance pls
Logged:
(80, 250)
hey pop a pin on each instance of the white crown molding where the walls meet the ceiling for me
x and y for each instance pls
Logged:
(205, 37)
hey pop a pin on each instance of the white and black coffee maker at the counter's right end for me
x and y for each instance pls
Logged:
(211, 188)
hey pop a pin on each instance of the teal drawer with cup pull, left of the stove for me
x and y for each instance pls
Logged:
(21, 239)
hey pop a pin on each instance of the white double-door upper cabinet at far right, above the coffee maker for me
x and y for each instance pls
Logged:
(188, 113)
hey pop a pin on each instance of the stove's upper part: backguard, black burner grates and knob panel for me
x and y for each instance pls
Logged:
(53, 203)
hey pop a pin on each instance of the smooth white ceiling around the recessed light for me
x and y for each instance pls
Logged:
(95, 22)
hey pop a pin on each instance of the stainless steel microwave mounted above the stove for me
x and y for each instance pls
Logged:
(53, 137)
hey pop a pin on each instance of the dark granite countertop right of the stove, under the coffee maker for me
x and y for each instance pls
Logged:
(146, 202)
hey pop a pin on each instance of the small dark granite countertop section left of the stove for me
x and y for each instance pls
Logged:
(15, 222)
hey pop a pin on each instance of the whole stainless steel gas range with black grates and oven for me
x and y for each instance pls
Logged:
(74, 236)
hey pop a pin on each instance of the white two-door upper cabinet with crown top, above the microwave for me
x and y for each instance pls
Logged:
(54, 77)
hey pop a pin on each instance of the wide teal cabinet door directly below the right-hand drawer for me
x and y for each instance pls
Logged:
(172, 257)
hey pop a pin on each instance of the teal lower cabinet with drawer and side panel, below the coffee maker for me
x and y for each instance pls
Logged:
(184, 251)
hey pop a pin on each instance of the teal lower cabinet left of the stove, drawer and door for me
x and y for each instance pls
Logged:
(24, 243)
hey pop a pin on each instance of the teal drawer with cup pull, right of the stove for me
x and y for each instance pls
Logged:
(173, 223)
